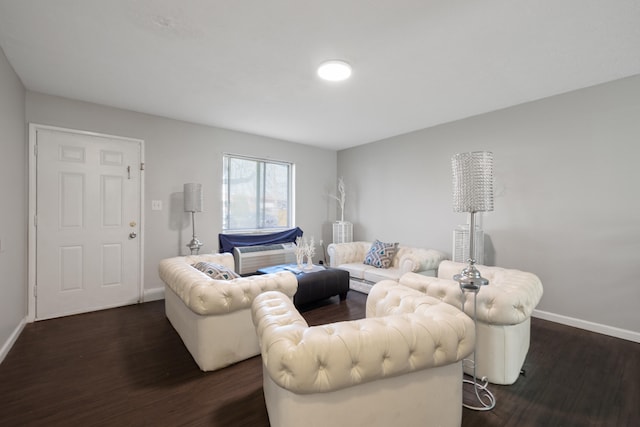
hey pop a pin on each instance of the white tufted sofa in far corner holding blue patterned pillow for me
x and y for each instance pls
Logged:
(350, 257)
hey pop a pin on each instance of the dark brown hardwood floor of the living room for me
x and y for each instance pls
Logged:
(128, 367)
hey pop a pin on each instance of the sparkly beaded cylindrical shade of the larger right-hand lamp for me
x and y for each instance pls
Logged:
(472, 181)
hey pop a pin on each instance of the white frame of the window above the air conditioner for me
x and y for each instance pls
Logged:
(226, 195)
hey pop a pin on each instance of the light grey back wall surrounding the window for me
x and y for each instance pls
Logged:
(178, 152)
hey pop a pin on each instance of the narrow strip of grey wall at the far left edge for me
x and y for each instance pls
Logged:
(13, 208)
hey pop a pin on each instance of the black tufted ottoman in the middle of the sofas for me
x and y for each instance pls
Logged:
(315, 285)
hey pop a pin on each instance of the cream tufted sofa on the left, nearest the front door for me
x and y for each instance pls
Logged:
(213, 317)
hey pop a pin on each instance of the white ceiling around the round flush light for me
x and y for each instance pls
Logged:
(250, 65)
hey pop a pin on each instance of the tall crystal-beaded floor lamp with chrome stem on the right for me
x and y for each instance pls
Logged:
(473, 192)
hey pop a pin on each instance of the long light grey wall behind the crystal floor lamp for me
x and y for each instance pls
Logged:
(567, 208)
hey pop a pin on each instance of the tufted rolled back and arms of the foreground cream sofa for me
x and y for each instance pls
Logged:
(334, 356)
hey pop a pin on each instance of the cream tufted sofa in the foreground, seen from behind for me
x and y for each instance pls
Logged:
(400, 366)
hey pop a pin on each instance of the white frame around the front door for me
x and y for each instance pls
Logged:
(32, 229)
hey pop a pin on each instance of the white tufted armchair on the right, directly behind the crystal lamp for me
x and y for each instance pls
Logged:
(504, 310)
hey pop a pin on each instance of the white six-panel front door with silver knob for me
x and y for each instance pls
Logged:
(88, 204)
